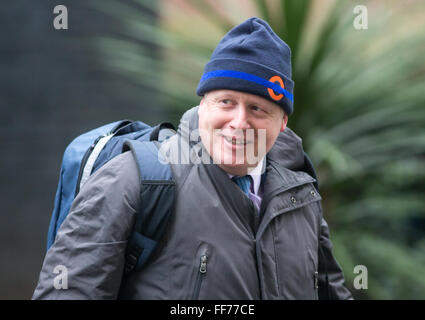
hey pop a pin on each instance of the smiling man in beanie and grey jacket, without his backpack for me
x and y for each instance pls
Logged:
(247, 223)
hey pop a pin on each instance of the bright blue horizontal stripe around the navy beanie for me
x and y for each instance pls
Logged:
(249, 77)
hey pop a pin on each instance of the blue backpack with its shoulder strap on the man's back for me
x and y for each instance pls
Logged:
(90, 151)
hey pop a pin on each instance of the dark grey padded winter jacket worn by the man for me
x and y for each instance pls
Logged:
(217, 246)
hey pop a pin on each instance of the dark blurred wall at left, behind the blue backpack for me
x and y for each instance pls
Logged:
(52, 88)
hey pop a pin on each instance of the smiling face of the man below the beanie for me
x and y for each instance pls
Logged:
(233, 123)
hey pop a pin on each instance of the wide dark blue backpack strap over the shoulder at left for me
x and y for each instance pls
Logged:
(157, 200)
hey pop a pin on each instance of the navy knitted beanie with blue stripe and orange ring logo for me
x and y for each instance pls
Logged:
(253, 59)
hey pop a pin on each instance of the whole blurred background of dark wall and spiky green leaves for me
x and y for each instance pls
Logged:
(359, 107)
